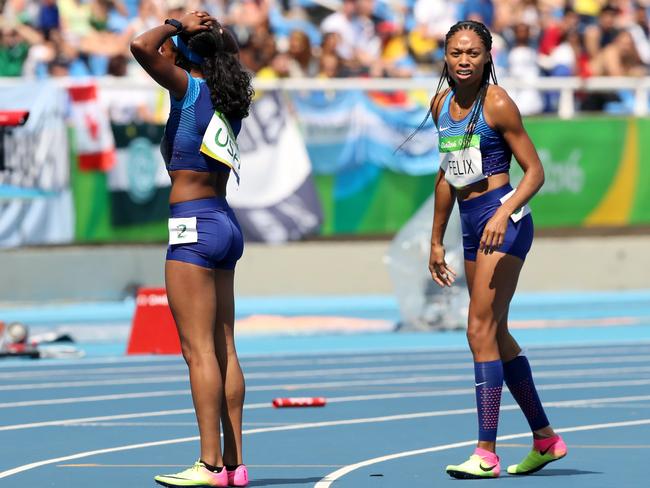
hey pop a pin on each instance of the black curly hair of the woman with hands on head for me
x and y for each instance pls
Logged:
(229, 83)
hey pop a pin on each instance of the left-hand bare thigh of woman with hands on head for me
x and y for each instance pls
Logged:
(192, 299)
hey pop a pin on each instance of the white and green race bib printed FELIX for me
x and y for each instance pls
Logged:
(462, 167)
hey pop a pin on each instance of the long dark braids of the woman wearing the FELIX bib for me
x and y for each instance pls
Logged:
(488, 75)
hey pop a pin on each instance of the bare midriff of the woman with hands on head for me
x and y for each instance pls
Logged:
(193, 185)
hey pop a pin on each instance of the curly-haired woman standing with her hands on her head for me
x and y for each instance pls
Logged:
(197, 61)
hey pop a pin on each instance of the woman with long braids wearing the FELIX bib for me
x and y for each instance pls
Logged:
(480, 129)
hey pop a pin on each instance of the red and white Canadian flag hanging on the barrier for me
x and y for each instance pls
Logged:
(93, 134)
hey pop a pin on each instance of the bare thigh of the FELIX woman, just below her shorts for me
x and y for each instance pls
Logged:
(494, 283)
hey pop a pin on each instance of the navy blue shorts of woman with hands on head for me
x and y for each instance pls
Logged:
(220, 240)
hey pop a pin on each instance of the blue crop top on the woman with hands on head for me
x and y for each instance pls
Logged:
(188, 120)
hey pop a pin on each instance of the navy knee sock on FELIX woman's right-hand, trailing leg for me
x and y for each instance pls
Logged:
(519, 379)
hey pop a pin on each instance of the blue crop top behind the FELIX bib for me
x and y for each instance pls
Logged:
(495, 152)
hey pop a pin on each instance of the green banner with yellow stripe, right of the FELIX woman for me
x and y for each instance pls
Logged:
(595, 169)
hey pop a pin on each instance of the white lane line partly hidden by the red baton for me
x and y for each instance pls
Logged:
(188, 411)
